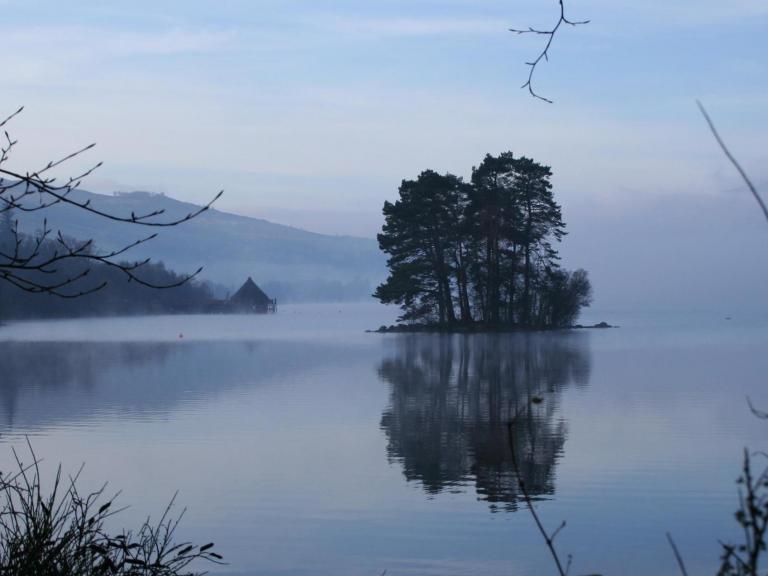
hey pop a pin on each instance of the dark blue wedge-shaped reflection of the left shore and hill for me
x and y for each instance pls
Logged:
(42, 383)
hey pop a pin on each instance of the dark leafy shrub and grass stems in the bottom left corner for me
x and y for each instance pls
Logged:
(63, 533)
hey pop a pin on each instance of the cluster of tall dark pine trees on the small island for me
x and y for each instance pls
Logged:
(480, 252)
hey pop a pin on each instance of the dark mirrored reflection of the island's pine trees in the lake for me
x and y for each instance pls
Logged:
(451, 400)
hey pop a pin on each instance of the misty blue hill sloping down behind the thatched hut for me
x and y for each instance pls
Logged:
(289, 263)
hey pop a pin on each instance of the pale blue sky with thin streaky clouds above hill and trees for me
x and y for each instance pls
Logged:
(311, 112)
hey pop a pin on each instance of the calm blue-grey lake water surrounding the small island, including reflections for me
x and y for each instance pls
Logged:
(302, 445)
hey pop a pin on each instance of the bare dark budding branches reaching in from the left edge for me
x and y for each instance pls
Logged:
(50, 262)
